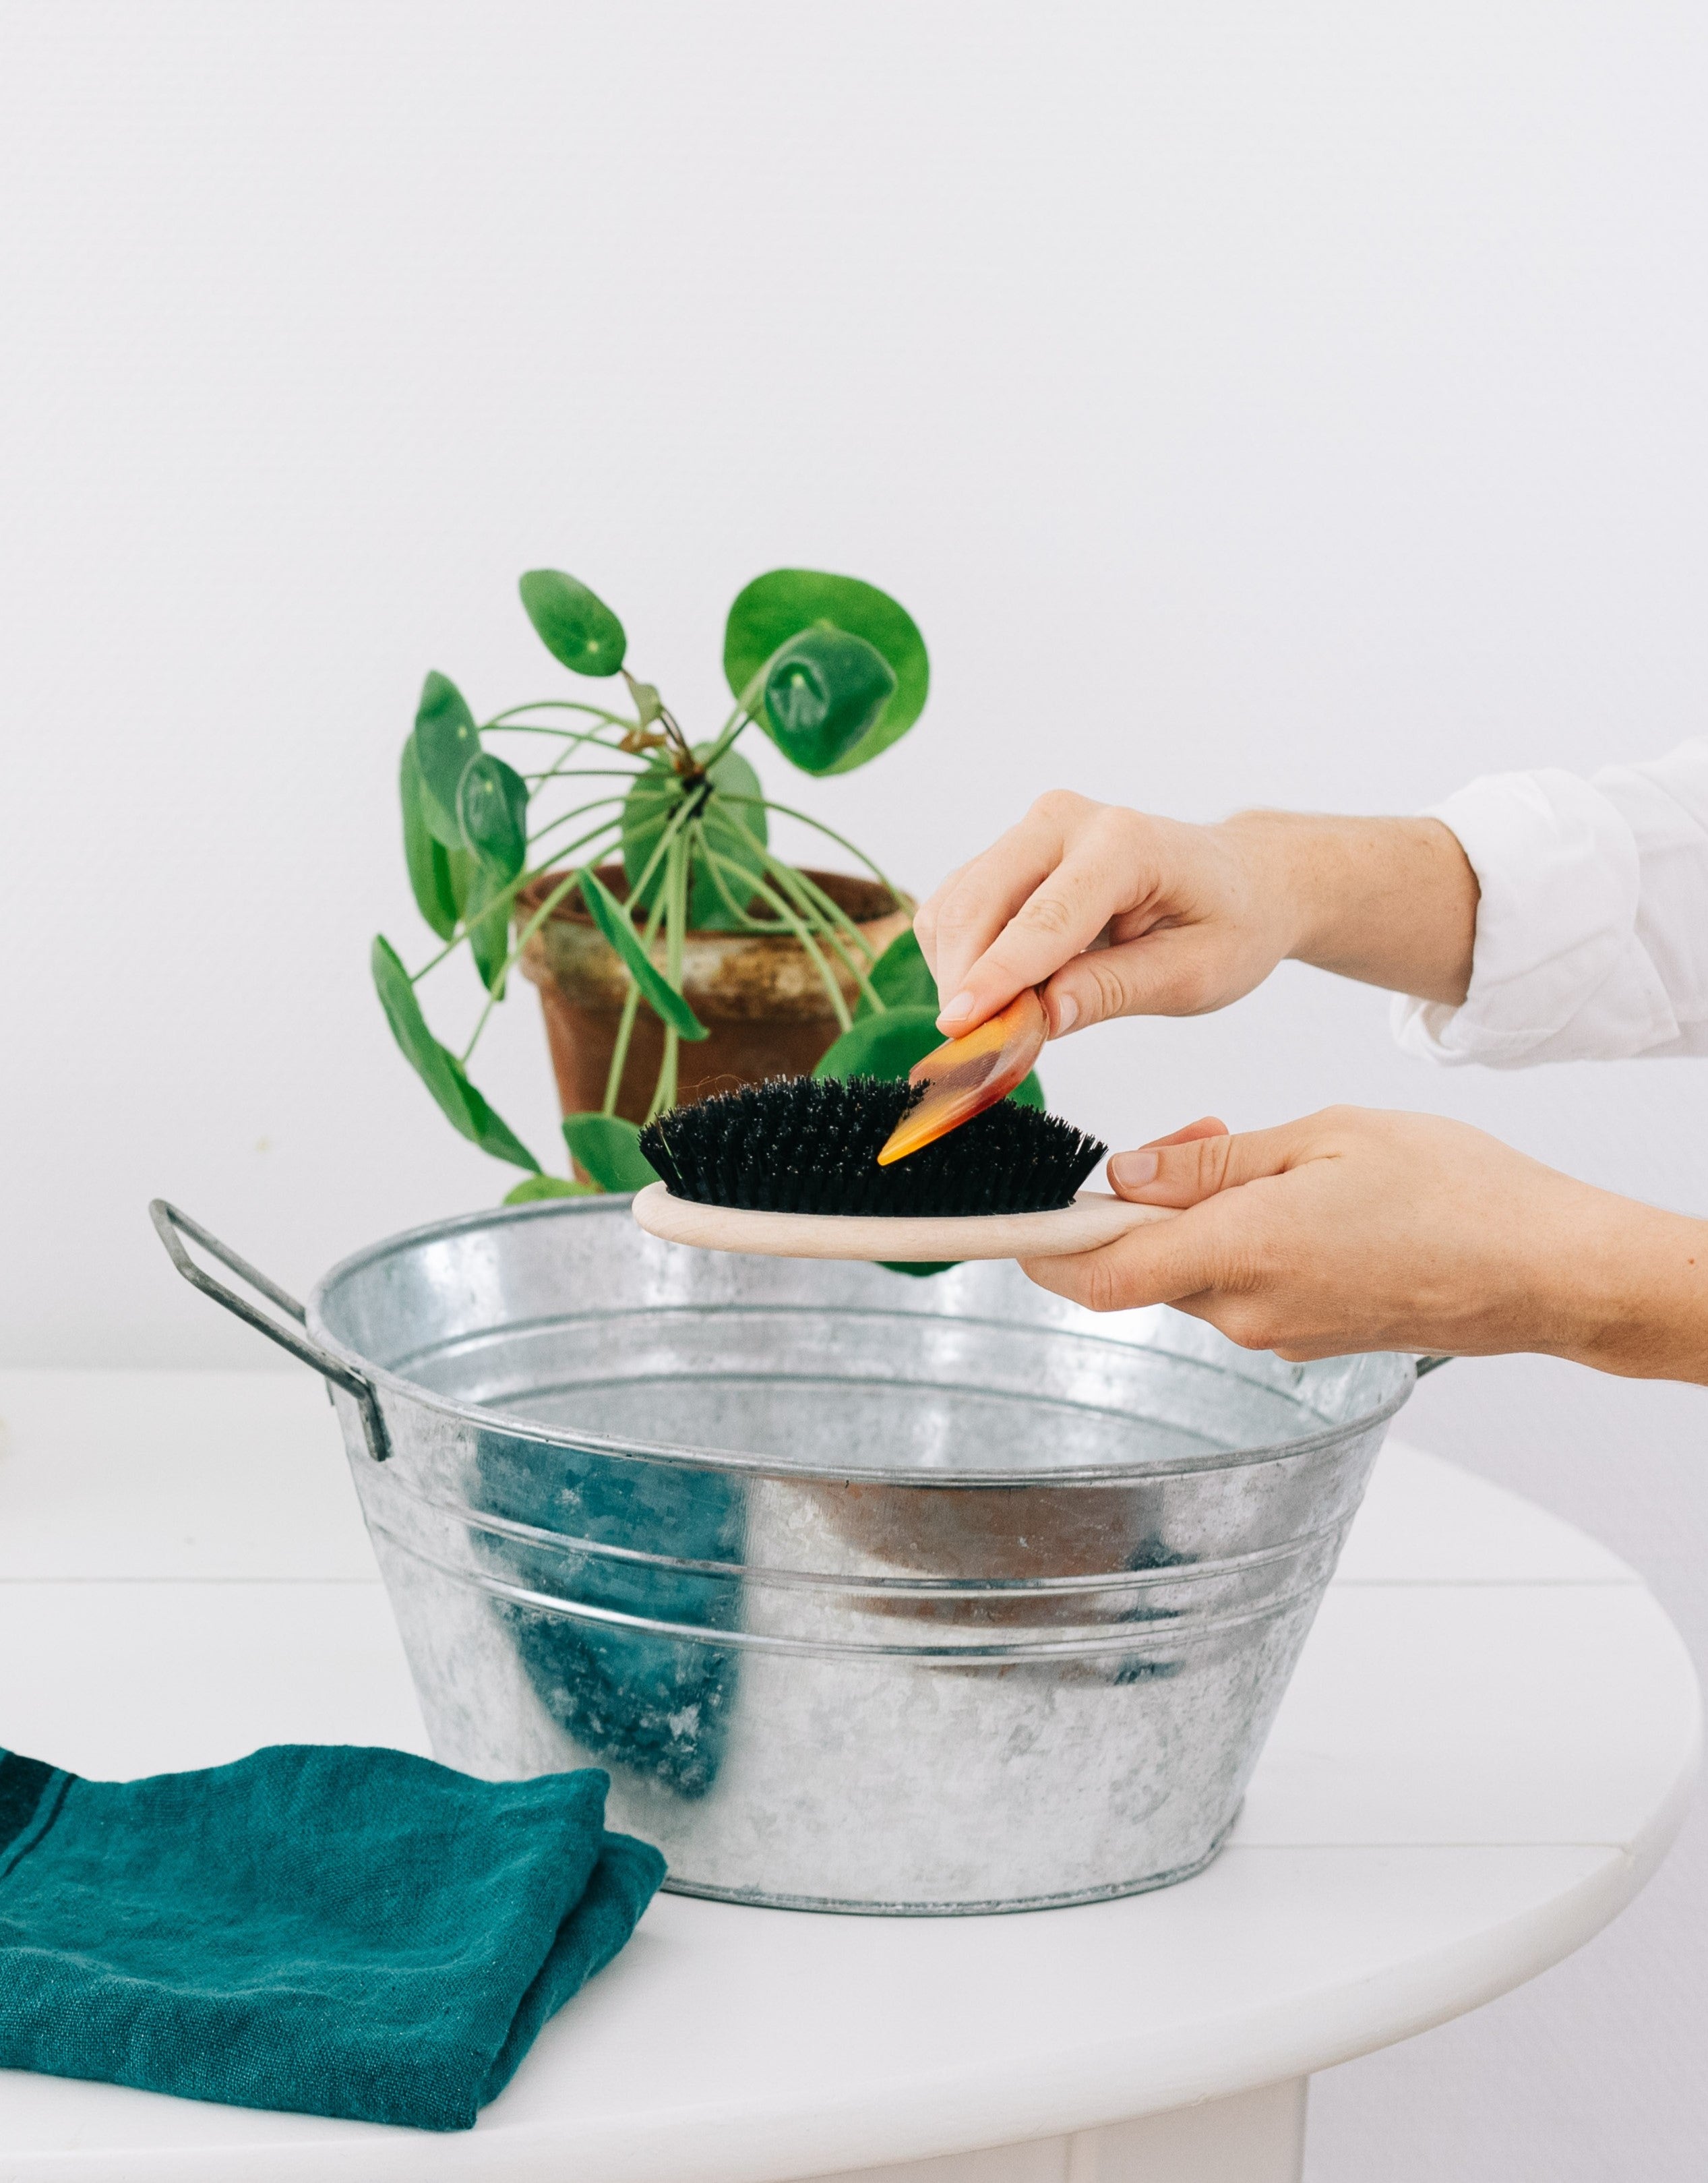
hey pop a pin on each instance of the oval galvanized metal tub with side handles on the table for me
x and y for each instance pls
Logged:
(869, 1592)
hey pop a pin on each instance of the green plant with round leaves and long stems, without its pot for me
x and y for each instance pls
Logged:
(830, 669)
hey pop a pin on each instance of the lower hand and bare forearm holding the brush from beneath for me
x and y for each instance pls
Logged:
(1358, 1230)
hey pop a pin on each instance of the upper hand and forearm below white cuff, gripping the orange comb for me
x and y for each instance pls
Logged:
(1118, 914)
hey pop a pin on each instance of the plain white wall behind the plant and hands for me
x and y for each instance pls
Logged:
(1251, 403)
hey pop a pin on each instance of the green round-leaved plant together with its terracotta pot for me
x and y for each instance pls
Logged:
(629, 874)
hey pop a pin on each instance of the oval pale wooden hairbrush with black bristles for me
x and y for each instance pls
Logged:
(791, 1169)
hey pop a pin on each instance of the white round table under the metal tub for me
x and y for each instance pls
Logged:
(1487, 1752)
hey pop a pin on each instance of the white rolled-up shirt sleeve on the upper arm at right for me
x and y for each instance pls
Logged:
(1593, 918)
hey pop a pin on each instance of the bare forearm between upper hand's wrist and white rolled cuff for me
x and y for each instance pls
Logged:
(1391, 903)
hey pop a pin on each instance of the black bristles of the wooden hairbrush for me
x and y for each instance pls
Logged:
(806, 1145)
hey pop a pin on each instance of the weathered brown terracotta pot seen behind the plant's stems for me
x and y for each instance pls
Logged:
(760, 999)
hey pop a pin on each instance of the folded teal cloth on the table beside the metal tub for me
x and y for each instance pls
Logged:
(317, 1929)
